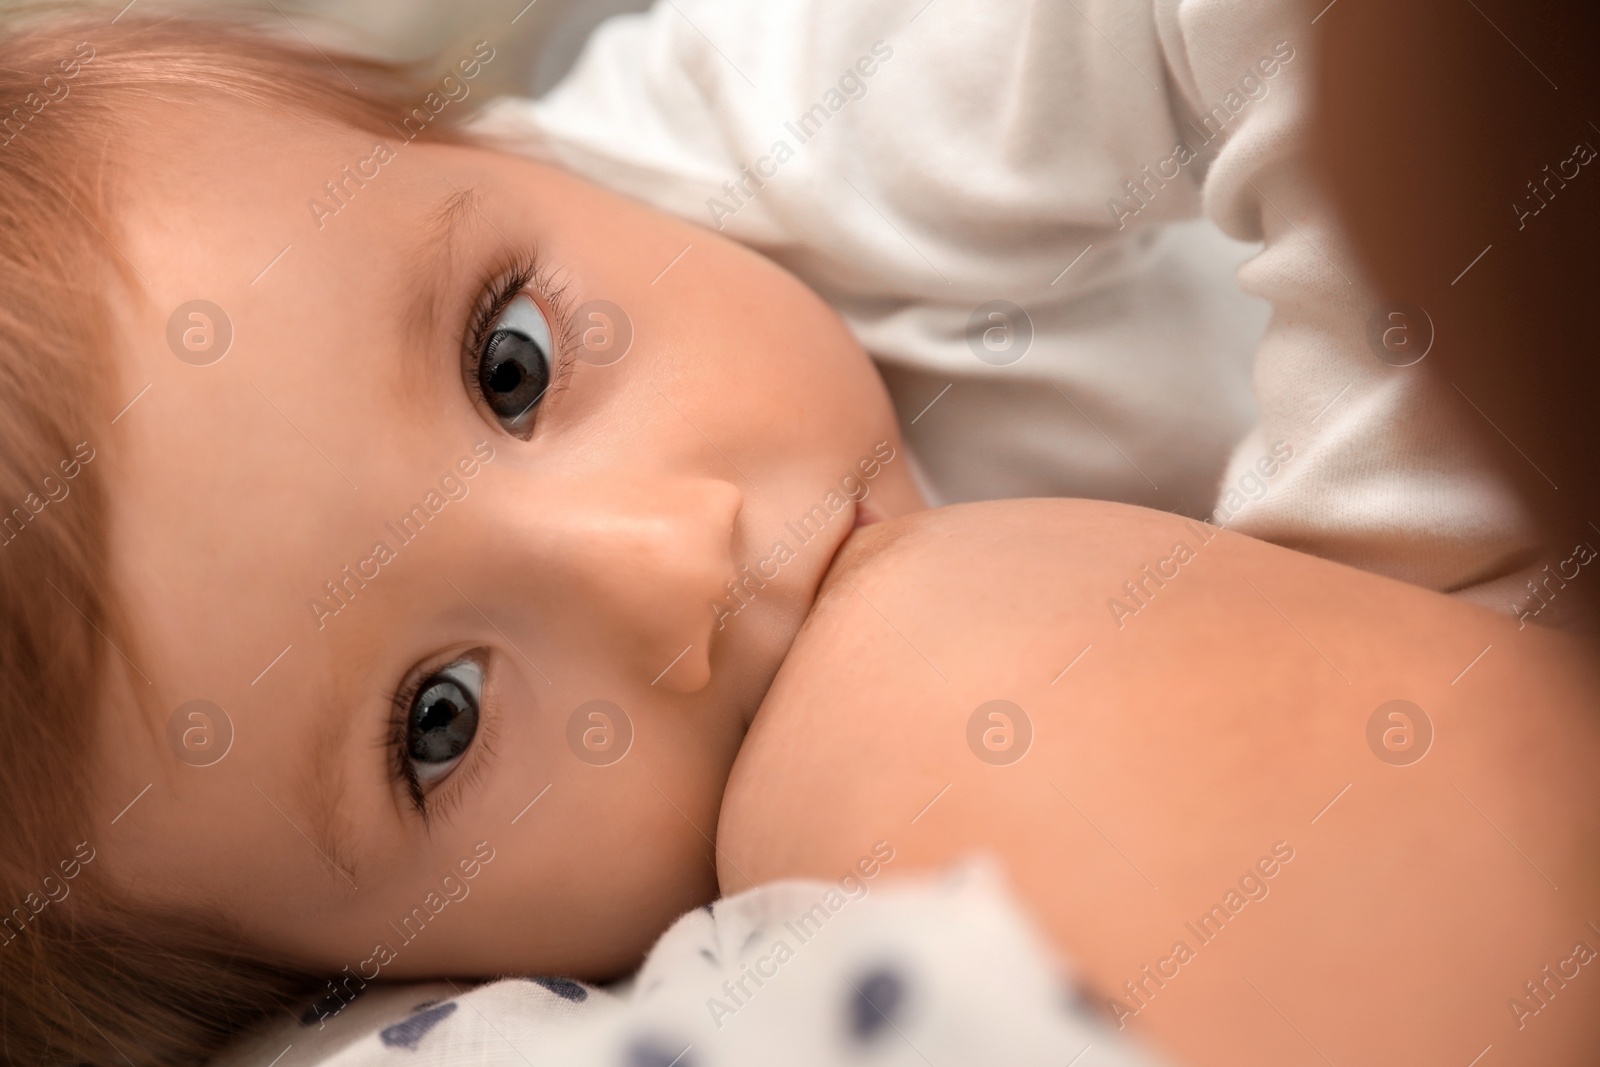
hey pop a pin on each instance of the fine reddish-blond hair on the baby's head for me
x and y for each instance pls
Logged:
(86, 977)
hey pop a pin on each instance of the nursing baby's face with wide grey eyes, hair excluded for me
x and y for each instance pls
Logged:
(442, 554)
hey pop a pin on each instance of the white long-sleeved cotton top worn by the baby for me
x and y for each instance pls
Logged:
(916, 161)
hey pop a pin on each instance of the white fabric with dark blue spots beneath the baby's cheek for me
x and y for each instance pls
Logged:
(913, 973)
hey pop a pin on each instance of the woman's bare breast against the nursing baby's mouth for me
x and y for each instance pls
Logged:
(1223, 721)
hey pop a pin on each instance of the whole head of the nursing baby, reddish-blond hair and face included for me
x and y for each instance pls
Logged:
(399, 540)
